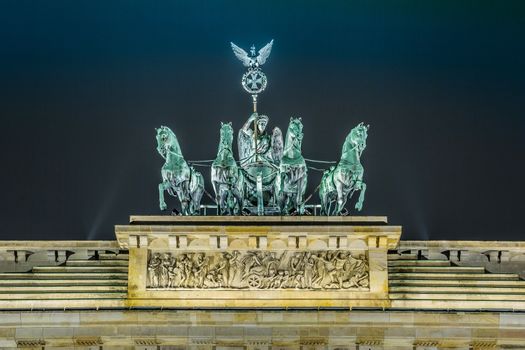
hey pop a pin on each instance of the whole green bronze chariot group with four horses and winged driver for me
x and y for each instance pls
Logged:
(270, 176)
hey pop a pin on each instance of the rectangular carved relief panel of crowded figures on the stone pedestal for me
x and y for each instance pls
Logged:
(258, 270)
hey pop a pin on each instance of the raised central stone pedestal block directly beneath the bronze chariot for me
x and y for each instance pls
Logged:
(258, 262)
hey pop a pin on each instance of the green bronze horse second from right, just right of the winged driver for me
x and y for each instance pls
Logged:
(291, 181)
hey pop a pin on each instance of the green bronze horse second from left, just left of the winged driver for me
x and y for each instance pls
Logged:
(226, 177)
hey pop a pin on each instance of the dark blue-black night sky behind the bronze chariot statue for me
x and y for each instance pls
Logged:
(84, 83)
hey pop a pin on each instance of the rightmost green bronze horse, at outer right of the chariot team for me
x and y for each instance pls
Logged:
(340, 182)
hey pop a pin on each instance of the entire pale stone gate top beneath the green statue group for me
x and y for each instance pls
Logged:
(421, 294)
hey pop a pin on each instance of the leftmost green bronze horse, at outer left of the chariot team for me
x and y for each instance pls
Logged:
(178, 178)
